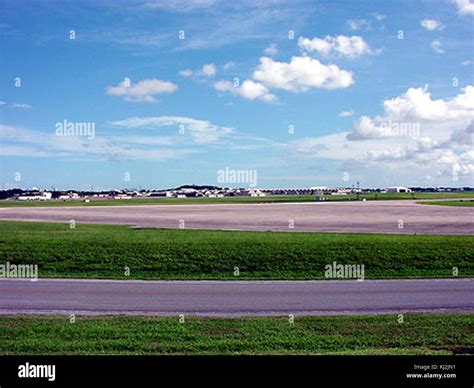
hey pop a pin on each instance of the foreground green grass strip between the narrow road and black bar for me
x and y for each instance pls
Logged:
(418, 334)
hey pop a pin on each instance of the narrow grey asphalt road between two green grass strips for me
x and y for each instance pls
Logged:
(234, 298)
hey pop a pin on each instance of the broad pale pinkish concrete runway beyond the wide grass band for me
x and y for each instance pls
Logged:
(366, 217)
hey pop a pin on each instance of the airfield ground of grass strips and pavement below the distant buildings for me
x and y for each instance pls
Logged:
(183, 282)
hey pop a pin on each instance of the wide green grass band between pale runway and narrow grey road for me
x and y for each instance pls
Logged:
(103, 251)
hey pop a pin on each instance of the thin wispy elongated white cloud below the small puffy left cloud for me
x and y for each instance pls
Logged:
(200, 131)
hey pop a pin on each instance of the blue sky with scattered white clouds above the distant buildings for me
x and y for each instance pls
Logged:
(156, 94)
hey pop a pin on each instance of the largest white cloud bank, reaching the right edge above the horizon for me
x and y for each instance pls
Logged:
(443, 146)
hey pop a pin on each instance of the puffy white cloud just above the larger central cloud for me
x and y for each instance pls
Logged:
(345, 46)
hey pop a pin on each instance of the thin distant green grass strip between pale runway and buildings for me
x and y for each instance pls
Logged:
(237, 200)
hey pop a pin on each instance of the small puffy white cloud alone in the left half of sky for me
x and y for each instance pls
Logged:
(143, 91)
